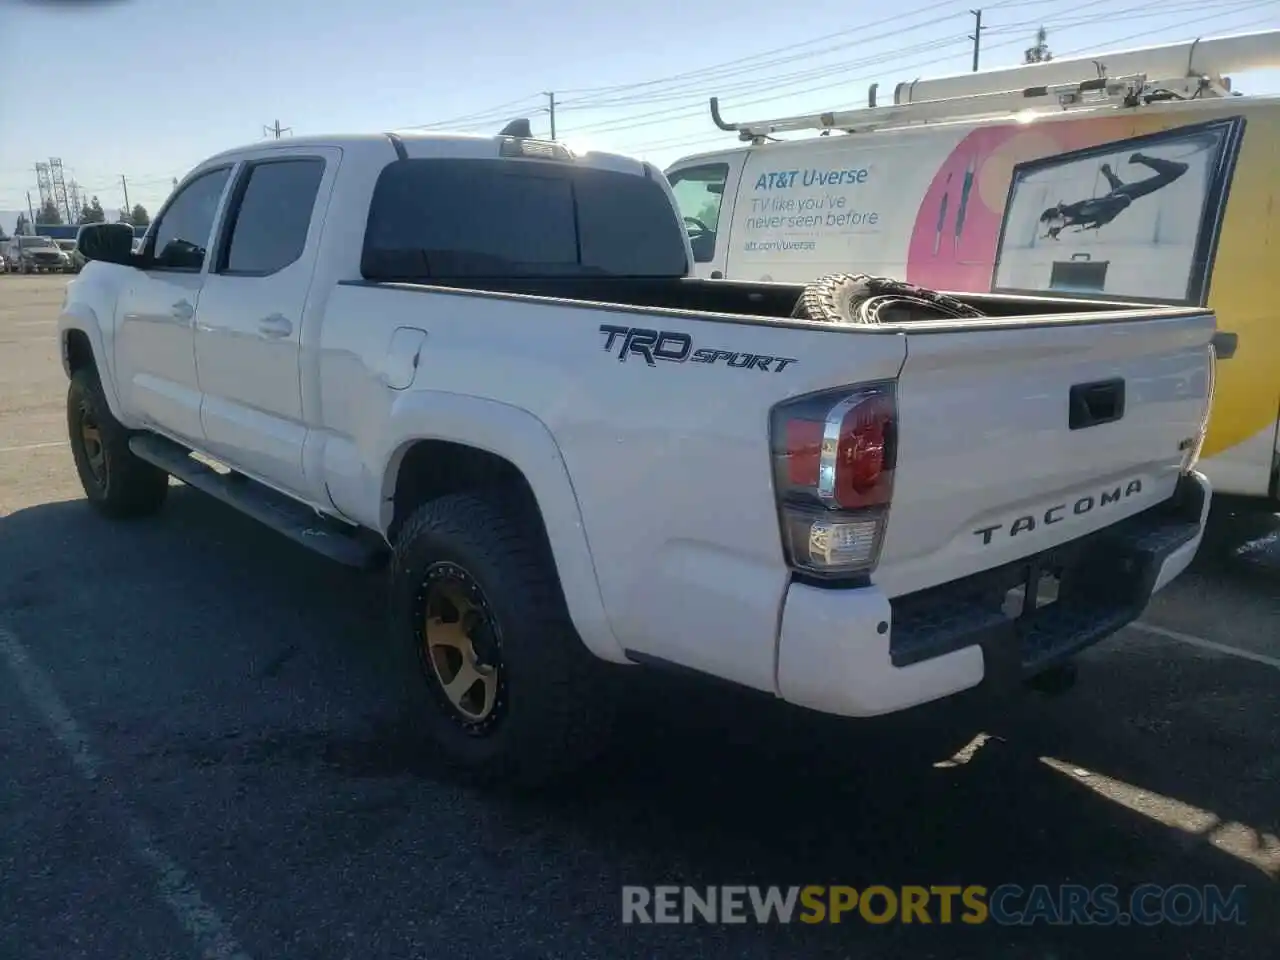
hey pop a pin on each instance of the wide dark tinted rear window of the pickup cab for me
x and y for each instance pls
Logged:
(455, 220)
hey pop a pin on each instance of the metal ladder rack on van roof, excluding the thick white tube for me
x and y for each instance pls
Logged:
(1087, 95)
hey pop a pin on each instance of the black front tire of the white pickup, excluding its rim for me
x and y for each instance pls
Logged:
(130, 487)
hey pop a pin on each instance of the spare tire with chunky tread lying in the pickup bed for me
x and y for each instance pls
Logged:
(861, 299)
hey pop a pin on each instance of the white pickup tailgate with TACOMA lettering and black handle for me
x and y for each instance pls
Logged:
(1018, 438)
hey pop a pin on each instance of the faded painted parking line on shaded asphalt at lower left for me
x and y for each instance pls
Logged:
(193, 912)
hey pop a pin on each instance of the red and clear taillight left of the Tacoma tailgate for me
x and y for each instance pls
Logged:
(834, 460)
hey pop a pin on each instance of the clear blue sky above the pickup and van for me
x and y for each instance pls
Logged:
(167, 83)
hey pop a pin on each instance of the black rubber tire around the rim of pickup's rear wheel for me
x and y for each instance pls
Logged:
(556, 697)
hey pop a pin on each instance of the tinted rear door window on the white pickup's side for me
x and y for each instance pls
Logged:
(275, 216)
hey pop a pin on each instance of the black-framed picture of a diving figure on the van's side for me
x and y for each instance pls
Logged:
(1132, 220)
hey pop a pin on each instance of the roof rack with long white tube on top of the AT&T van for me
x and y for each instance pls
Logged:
(1195, 70)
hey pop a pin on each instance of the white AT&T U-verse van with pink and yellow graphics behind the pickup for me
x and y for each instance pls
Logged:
(1153, 184)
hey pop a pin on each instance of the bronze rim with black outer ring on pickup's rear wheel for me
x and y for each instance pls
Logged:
(460, 648)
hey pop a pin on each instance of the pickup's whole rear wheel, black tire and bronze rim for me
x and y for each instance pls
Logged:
(499, 676)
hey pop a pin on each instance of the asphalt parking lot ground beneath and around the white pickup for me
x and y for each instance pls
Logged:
(202, 755)
